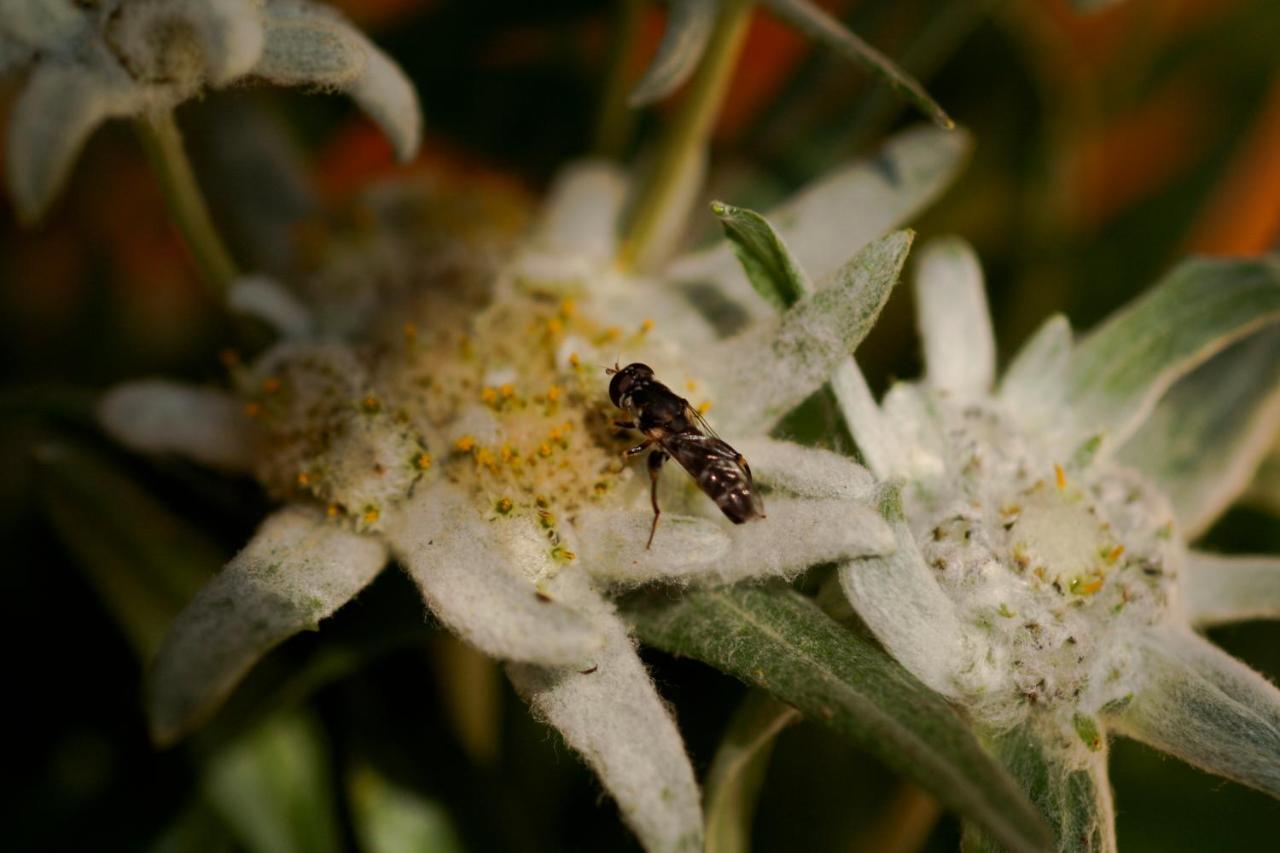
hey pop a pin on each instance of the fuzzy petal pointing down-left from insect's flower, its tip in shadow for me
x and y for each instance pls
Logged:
(298, 569)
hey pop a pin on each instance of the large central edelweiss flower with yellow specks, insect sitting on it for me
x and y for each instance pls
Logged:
(469, 436)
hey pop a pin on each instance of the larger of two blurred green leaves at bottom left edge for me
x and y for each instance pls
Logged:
(275, 788)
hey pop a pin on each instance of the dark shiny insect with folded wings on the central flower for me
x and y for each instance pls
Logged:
(678, 431)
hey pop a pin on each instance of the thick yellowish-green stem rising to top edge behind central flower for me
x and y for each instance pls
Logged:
(688, 135)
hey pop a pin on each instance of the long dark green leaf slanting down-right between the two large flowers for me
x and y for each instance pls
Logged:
(783, 642)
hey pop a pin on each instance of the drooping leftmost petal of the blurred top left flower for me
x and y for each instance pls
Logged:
(58, 111)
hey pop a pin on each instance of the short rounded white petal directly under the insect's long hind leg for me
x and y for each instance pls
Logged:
(611, 545)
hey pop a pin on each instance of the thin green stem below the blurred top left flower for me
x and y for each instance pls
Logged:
(162, 140)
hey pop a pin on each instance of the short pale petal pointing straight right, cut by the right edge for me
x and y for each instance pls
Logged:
(1229, 589)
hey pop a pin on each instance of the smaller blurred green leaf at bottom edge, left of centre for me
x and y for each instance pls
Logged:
(391, 819)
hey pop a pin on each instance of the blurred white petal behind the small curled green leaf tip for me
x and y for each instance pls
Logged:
(828, 222)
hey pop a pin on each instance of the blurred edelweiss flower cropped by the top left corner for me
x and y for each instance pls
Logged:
(117, 58)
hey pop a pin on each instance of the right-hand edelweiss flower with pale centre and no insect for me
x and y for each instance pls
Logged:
(1043, 578)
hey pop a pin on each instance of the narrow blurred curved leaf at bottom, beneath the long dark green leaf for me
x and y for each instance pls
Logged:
(738, 772)
